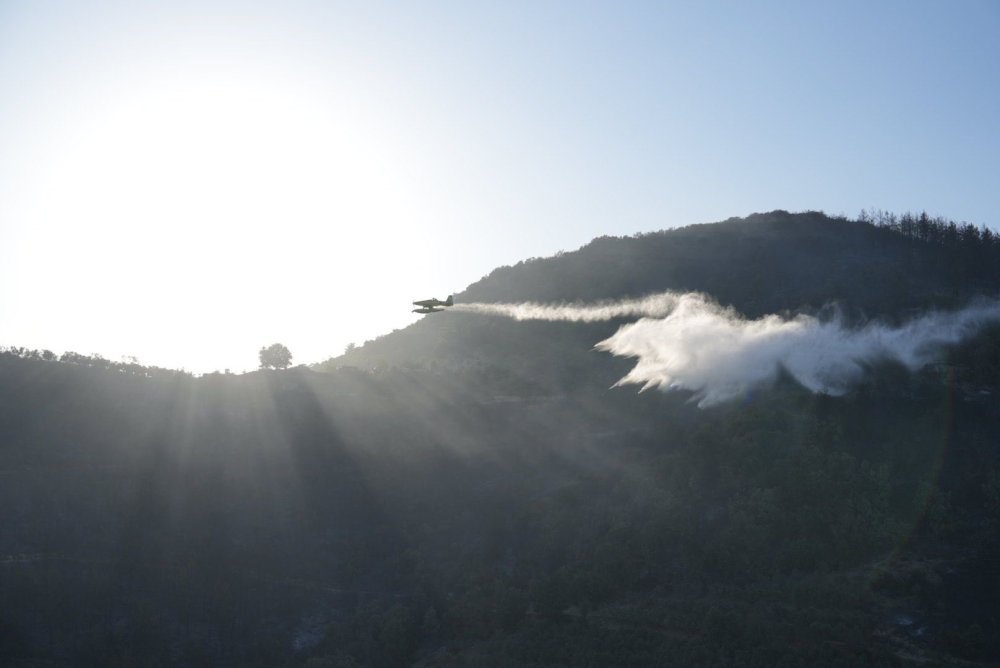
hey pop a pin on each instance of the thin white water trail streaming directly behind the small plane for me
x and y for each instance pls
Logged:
(658, 305)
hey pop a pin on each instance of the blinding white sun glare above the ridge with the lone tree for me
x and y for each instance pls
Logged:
(196, 215)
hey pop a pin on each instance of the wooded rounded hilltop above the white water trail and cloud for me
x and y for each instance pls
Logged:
(766, 263)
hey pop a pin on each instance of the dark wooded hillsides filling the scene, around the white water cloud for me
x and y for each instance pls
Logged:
(468, 491)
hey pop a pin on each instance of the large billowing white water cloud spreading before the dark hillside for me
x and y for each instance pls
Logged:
(718, 355)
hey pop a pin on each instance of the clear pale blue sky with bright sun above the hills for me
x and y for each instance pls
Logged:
(187, 182)
